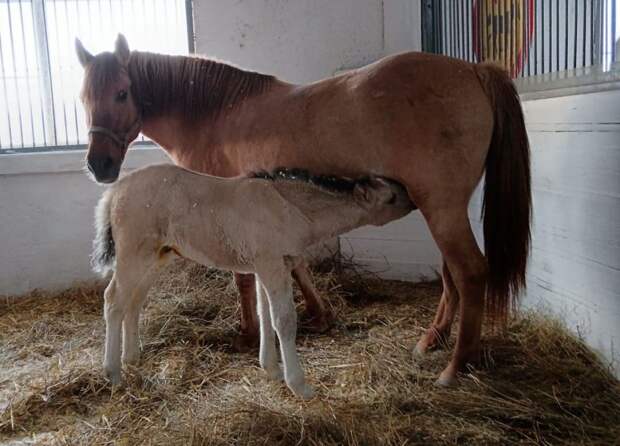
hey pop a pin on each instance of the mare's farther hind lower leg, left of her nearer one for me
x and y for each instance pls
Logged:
(439, 332)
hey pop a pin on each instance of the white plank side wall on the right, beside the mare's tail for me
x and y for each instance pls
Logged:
(574, 269)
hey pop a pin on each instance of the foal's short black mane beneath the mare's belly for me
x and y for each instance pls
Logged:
(330, 183)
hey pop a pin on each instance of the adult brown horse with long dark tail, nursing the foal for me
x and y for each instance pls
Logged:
(432, 123)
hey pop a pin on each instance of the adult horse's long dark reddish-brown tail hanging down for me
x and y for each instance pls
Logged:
(507, 205)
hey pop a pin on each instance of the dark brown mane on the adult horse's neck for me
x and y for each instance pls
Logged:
(193, 86)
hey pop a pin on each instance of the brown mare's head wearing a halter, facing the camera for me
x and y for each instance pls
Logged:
(112, 114)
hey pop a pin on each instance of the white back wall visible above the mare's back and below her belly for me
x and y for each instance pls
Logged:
(307, 40)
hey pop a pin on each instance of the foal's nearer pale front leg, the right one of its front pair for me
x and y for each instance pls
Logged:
(277, 282)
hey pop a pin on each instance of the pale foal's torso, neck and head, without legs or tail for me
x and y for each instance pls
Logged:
(231, 222)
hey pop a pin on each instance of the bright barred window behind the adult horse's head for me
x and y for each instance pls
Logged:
(40, 75)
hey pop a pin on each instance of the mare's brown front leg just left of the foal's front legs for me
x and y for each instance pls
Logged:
(249, 336)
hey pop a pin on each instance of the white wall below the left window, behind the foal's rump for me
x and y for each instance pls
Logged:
(46, 218)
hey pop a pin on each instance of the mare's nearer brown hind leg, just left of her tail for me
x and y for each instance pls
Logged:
(468, 268)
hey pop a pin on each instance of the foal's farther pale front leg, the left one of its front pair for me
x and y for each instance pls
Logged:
(268, 355)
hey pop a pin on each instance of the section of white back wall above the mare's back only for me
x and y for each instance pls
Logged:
(304, 40)
